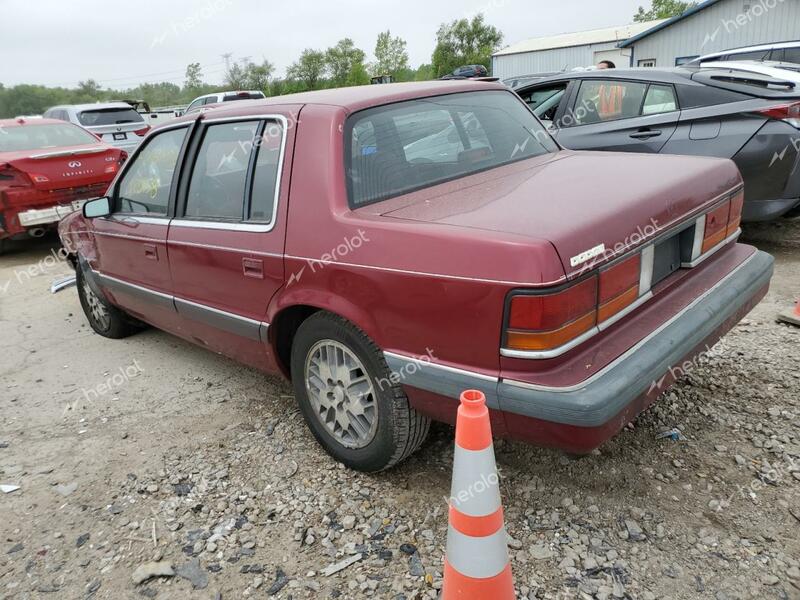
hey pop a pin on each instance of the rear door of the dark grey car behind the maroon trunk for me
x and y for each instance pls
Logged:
(621, 116)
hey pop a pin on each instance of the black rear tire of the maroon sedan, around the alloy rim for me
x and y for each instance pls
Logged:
(400, 430)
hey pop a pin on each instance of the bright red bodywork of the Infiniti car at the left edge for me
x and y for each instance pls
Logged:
(45, 177)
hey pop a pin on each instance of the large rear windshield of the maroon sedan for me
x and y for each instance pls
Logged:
(398, 148)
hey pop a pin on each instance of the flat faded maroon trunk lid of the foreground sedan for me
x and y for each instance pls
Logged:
(579, 201)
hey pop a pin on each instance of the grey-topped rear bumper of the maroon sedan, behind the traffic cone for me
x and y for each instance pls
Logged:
(581, 417)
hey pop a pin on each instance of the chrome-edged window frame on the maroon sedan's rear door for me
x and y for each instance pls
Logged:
(234, 225)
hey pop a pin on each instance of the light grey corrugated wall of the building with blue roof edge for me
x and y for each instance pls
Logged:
(712, 26)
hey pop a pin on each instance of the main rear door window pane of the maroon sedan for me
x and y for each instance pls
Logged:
(219, 175)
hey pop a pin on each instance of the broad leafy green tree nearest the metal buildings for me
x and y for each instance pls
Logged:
(464, 42)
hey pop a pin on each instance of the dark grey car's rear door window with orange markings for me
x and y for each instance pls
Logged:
(610, 100)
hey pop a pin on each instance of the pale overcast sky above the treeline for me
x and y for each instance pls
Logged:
(121, 44)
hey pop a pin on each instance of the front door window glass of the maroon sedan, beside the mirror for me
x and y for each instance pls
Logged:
(145, 187)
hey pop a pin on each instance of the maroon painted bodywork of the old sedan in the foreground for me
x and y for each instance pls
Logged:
(438, 264)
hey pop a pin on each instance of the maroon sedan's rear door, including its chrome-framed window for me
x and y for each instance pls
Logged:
(226, 244)
